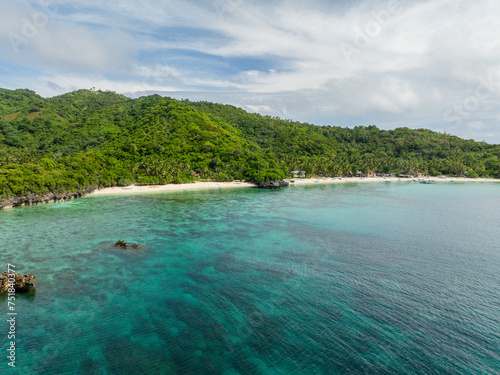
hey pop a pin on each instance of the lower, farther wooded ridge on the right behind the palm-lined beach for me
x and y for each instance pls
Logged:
(326, 150)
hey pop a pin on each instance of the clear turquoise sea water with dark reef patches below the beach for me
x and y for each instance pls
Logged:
(341, 279)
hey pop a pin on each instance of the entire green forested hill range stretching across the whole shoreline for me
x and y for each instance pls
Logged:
(91, 138)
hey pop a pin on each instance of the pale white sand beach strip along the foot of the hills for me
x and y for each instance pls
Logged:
(304, 181)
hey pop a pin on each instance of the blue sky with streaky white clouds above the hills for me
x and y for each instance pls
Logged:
(416, 63)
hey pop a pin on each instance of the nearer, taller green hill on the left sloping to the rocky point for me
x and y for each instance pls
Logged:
(88, 138)
